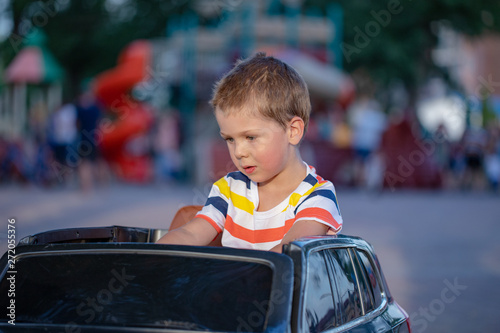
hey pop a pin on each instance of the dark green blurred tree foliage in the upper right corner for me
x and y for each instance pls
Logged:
(393, 39)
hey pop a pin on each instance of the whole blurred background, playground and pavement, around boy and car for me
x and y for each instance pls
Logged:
(104, 119)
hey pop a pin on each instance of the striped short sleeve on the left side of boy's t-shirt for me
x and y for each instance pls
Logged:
(215, 209)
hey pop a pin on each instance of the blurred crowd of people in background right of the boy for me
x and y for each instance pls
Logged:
(372, 140)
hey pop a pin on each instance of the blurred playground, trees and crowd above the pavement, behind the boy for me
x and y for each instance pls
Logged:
(405, 95)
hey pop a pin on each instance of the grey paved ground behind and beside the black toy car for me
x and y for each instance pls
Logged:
(439, 250)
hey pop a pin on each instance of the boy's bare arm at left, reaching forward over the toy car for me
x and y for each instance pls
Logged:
(196, 232)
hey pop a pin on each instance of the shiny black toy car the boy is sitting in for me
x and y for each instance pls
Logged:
(115, 279)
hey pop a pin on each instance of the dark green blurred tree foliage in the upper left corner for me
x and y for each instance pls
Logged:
(87, 36)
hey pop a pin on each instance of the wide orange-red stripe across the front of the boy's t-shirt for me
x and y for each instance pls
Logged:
(257, 236)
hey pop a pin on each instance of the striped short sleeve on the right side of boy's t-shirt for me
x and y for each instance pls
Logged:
(321, 206)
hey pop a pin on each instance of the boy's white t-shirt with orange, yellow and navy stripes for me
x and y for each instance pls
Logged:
(233, 200)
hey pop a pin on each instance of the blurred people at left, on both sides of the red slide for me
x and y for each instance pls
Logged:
(63, 149)
